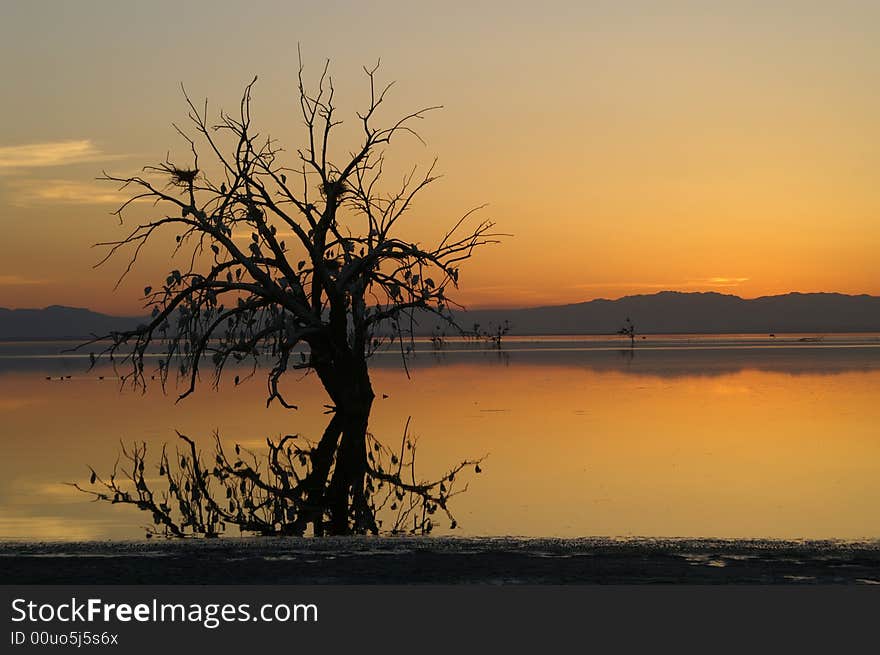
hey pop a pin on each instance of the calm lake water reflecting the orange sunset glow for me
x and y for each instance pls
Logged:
(711, 436)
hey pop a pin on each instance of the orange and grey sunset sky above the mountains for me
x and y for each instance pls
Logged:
(629, 150)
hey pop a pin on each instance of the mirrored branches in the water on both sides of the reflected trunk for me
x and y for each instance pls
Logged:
(193, 494)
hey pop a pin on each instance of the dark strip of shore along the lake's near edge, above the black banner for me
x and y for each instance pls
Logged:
(441, 560)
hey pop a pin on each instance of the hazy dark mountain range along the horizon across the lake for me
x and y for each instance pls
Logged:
(664, 312)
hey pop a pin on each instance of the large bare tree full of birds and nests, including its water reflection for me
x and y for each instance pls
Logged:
(300, 267)
